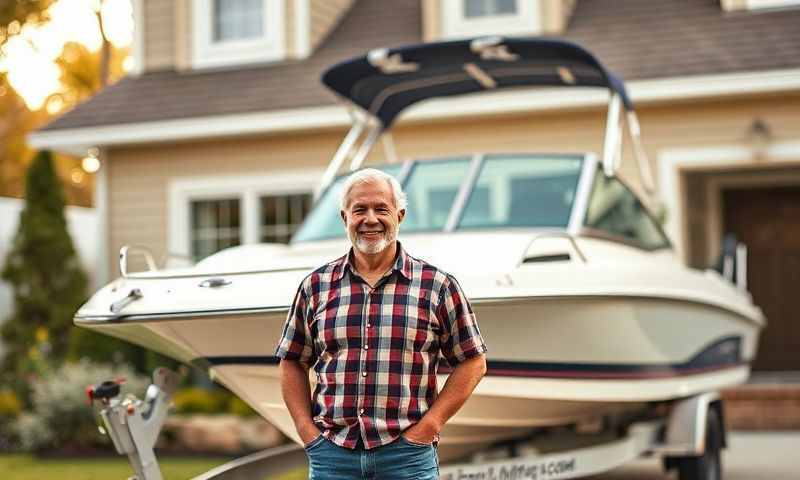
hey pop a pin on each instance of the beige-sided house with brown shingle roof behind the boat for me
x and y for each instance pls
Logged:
(221, 133)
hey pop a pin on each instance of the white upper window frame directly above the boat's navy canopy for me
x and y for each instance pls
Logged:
(455, 25)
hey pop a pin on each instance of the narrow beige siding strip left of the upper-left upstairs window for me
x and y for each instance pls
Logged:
(159, 35)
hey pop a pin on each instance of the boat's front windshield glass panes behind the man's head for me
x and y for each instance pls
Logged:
(518, 190)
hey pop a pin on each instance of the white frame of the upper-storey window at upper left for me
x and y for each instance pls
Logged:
(271, 46)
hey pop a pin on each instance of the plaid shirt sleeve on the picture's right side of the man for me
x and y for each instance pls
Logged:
(461, 339)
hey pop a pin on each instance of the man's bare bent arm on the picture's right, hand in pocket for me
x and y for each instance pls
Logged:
(456, 390)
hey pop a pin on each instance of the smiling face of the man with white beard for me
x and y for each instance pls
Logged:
(371, 217)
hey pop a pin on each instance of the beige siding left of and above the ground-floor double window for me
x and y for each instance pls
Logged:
(139, 179)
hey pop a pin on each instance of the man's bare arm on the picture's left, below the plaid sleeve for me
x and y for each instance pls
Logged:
(296, 393)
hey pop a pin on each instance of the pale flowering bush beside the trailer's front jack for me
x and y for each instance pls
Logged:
(61, 417)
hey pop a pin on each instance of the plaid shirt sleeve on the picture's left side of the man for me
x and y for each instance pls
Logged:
(296, 343)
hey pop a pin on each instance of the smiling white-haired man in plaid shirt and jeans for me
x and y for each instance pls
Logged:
(373, 324)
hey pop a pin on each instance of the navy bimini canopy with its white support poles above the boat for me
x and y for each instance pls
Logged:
(379, 86)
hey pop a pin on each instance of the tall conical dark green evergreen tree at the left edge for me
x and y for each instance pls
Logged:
(46, 276)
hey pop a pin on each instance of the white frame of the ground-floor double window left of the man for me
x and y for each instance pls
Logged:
(247, 189)
